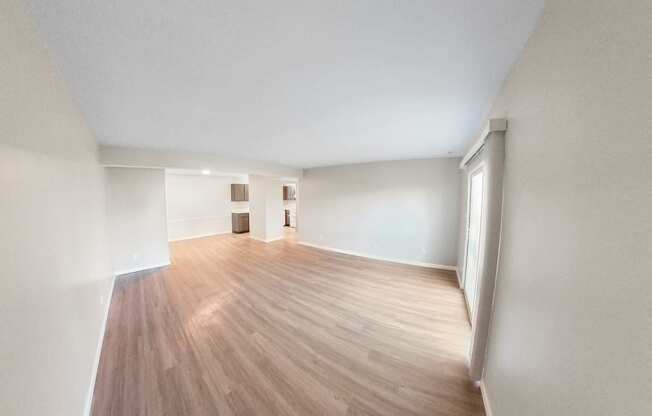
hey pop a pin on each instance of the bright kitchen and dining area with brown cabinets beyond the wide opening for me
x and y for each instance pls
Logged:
(207, 203)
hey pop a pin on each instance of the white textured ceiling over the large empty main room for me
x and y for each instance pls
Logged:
(299, 82)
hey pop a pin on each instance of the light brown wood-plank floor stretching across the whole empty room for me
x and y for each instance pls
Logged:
(239, 327)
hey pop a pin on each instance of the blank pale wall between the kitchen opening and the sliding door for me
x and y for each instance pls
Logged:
(402, 210)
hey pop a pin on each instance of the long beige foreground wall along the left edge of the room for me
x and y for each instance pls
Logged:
(55, 277)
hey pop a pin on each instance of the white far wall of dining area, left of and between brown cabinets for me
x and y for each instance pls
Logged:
(200, 205)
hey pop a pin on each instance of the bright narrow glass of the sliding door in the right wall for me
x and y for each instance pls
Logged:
(473, 239)
